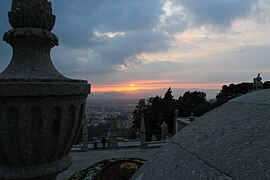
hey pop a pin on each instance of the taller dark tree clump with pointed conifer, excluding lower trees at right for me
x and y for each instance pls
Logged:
(156, 110)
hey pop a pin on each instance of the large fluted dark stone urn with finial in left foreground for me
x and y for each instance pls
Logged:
(40, 109)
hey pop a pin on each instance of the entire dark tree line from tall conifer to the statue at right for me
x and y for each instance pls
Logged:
(156, 110)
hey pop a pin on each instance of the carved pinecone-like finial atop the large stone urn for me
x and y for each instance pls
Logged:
(31, 13)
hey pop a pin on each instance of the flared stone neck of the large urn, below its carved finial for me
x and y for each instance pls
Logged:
(31, 57)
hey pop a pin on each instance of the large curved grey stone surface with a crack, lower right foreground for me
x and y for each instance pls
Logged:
(230, 142)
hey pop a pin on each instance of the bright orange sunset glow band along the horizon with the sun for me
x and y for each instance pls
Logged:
(131, 87)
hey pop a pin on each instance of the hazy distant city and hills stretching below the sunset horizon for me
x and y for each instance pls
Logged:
(103, 108)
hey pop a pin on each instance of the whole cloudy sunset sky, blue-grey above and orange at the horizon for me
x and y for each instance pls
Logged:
(145, 44)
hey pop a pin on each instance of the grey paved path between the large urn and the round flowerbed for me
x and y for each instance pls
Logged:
(82, 160)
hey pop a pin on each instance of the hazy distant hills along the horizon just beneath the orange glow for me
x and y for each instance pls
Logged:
(211, 93)
